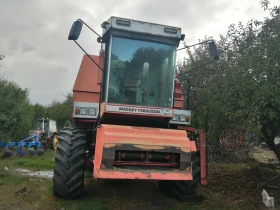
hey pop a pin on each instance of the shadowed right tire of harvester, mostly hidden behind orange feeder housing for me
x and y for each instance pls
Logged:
(183, 188)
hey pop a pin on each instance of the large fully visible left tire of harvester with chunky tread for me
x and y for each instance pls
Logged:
(68, 179)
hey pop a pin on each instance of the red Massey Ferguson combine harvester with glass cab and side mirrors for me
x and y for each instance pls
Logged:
(130, 123)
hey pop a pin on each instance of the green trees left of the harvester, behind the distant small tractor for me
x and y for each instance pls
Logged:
(17, 114)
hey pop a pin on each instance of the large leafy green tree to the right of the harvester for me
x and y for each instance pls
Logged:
(243, 89)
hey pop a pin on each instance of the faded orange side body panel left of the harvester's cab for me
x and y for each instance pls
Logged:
(87, 85)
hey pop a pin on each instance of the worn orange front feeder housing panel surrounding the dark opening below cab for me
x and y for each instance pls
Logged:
(112, 137)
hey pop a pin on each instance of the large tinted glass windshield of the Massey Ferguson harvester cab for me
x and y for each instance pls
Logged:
(141, 73)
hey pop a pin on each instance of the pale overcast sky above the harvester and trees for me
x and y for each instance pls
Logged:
(34, 33)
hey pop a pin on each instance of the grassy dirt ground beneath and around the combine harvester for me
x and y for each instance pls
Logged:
(230, 186)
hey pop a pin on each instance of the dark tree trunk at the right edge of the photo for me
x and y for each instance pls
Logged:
(269, 135)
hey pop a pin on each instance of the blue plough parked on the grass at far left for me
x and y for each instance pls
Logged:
(32, 144)
